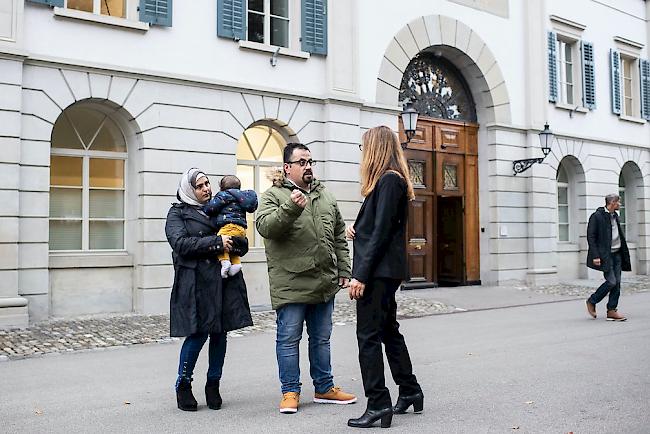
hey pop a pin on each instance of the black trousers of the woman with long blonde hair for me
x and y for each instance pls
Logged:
(377, 324)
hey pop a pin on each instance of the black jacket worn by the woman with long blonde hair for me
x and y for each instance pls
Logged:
(380, 231)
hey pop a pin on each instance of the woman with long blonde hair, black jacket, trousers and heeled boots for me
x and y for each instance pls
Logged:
(379, 267)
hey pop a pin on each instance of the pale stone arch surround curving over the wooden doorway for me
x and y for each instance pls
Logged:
(460, 45)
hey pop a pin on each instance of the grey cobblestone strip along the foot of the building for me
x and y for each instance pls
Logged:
(110, 331)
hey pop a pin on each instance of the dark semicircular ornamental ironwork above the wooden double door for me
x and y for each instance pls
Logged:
(436, 89)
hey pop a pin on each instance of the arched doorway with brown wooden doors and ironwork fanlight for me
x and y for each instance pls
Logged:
(443, 229)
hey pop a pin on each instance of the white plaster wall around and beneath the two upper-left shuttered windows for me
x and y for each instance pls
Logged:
(190, 48)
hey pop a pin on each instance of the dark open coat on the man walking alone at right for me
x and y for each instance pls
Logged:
(599, 237)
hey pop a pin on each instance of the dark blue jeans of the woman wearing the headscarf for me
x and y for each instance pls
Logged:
(190, 354)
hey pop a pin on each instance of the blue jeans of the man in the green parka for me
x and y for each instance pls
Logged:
(289, 320)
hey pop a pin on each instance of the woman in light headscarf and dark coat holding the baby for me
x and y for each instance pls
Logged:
(202, 305)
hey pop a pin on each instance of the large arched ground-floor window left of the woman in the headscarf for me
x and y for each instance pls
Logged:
(87, 181)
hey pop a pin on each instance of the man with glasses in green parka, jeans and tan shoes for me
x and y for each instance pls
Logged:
(308, 260)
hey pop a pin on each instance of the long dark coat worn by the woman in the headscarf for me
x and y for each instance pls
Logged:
(201, 301)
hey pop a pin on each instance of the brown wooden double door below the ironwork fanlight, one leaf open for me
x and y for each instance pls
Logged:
(443, 227)
